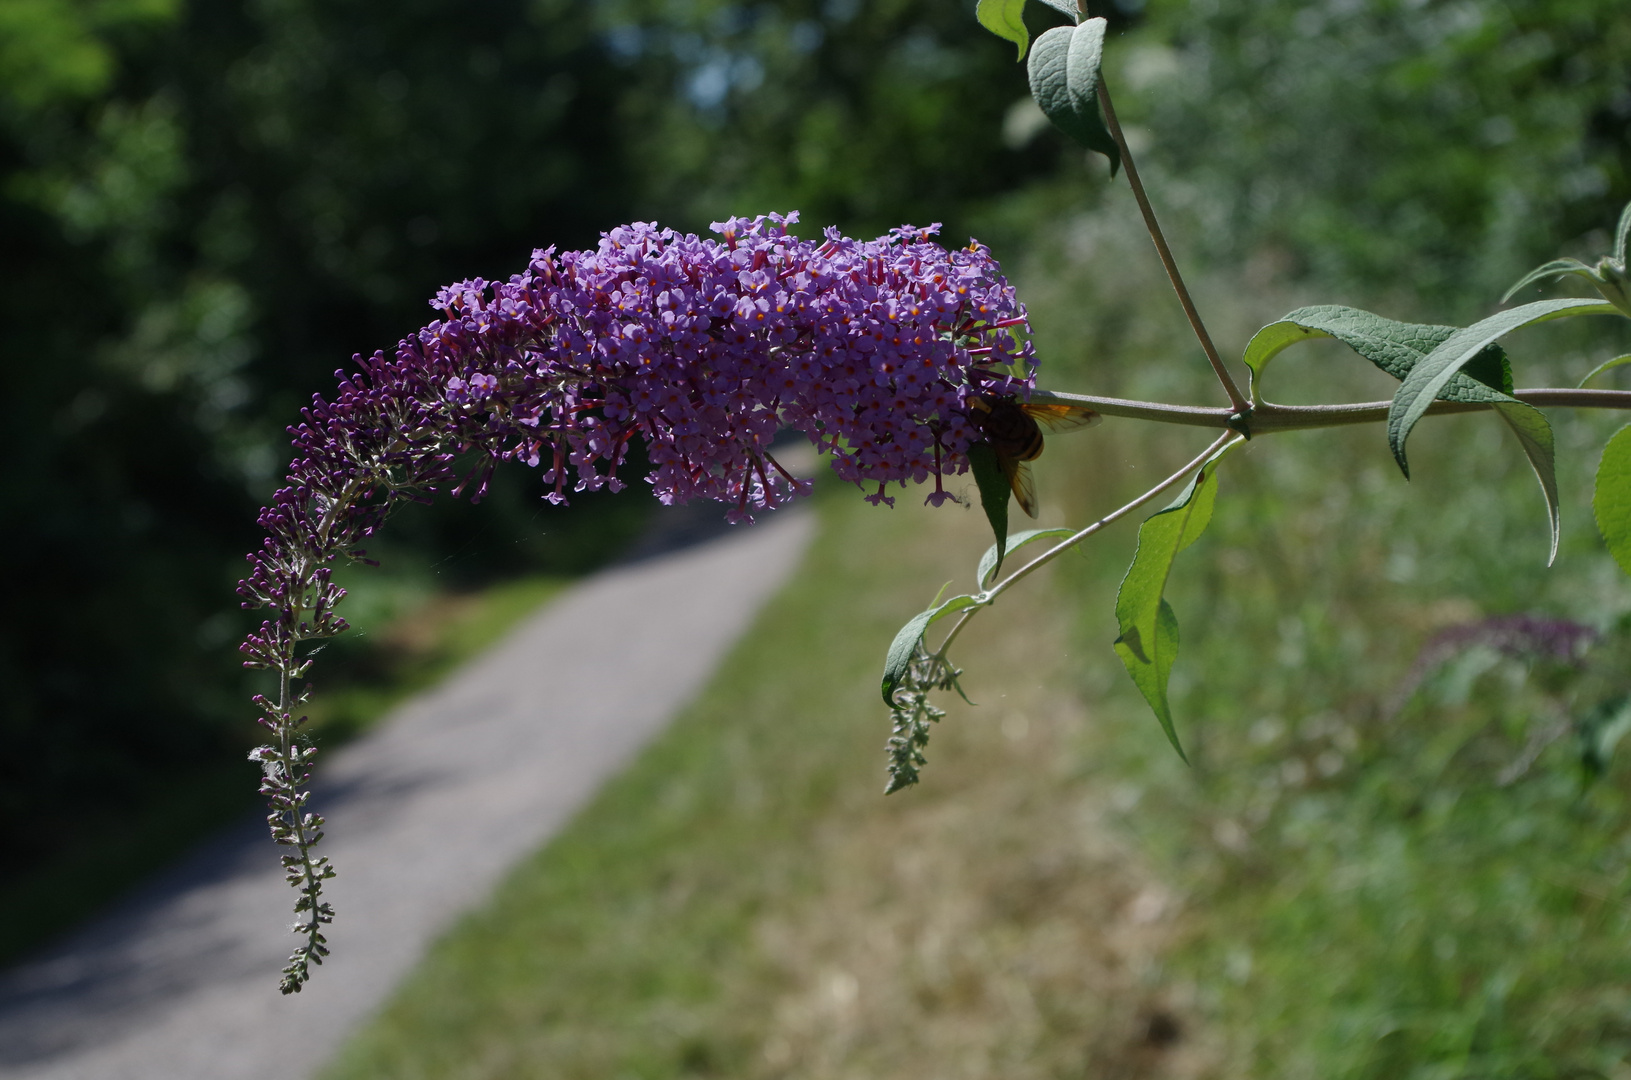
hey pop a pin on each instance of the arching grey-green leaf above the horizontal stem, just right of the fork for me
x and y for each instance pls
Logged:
(1390, 345)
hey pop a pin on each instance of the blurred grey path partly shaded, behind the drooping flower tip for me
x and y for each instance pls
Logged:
(425, 815)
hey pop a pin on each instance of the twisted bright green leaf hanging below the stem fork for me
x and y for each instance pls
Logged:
(1149, 629)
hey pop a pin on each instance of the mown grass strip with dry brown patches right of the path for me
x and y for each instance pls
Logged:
(745, 901)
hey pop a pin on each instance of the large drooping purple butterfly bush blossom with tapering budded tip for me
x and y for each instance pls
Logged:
(702, 348)
